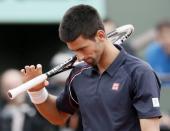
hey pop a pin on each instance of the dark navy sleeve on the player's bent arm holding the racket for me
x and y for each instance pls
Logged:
(65, 100)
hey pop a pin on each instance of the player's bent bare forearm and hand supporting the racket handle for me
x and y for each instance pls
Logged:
(48, 107)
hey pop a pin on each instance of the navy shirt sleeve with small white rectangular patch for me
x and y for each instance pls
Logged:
(146, 93)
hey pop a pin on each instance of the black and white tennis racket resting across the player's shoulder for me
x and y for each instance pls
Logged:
(118, 36)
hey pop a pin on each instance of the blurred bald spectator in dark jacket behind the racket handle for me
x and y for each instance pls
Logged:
(17, 115)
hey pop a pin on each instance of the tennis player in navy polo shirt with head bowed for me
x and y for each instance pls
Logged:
(114, 91)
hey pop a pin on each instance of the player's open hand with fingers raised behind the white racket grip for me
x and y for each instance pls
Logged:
(30, 72)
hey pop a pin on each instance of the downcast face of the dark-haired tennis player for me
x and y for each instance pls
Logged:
(86, 49)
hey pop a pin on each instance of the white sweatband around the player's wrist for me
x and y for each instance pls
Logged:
(38, 97)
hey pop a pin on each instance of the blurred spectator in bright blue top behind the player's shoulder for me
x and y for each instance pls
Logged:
(158, 52)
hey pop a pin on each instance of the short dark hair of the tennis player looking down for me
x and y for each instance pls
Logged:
(80, 20)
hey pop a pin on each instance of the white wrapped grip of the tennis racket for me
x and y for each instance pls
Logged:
(26, 86)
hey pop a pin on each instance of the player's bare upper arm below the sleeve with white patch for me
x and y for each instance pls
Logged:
(151, 124)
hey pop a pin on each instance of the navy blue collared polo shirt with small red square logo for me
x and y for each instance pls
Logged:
(127, 91)
